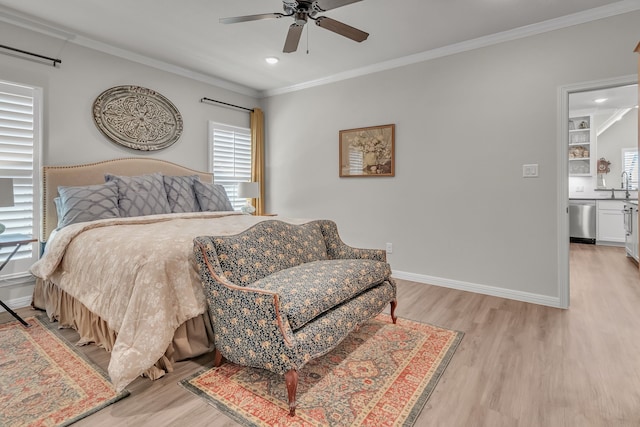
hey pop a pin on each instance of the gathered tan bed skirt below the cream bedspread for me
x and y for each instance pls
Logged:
(193, 338)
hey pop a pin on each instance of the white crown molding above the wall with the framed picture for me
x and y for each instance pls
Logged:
(594, 14)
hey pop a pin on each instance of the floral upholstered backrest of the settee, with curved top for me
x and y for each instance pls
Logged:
(268, 247)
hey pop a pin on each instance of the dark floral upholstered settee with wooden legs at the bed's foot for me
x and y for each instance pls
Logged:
(280, 294)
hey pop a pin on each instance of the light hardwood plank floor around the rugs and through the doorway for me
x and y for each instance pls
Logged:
(519, 364)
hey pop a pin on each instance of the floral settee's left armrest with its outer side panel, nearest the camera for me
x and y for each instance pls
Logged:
(248, 324)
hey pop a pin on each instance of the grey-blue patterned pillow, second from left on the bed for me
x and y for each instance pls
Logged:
(140, 195)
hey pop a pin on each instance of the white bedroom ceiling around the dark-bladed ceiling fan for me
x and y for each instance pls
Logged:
(186, 35)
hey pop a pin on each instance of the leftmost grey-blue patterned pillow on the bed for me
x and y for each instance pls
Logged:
(81, 204)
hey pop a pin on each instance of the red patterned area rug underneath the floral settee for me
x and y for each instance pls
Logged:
(380, 375)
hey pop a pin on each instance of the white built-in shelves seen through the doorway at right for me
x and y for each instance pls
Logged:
(581, 146)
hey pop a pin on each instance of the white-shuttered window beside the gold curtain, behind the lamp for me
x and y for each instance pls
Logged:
(230, 158)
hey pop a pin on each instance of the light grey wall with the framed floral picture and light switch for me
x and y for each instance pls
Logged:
(458, 211)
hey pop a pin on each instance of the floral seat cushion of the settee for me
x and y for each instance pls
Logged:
(312, 288)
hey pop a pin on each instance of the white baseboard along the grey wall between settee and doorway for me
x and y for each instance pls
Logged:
(480, 289)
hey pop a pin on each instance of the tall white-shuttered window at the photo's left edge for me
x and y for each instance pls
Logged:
(20, 160)
